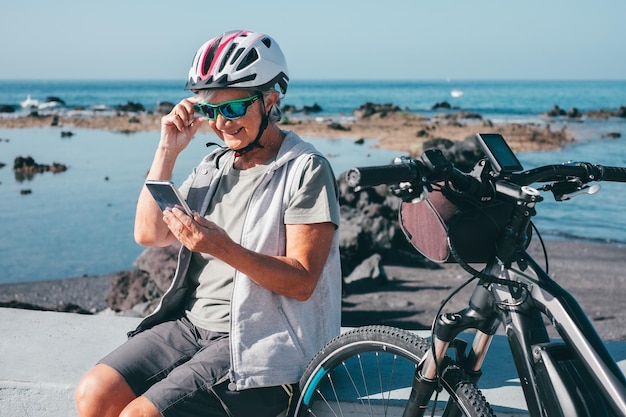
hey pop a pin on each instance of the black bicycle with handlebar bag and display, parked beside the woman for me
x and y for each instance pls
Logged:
(482, 217)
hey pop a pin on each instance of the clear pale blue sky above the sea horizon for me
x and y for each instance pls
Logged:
(322, 39)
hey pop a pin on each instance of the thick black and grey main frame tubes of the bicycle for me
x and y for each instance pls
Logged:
(540, 361)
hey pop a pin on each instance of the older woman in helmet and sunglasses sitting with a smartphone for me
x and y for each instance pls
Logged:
(257, 291)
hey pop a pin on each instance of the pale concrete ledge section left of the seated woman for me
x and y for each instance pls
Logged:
(43, 355)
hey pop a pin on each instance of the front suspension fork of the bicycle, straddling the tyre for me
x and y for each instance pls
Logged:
(481, 315)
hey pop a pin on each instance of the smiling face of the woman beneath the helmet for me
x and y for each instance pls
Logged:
(240, 132)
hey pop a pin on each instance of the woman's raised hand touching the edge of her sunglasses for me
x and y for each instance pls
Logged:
(180, 125)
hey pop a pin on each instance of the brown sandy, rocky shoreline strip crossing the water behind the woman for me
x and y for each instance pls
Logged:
(393, 129)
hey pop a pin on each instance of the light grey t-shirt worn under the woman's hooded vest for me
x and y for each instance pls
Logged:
(208, 306)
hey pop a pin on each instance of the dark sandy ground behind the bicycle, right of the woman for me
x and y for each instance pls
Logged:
(592, 272)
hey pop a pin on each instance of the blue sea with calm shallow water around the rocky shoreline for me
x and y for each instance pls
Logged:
(80, 222)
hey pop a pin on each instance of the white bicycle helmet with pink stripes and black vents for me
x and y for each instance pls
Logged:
(239, 59)
